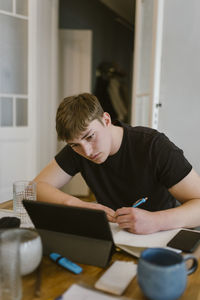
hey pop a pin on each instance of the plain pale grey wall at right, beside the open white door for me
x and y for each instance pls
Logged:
(179, 116)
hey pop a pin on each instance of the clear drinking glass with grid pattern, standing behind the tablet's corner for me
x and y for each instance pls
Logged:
(23, 189)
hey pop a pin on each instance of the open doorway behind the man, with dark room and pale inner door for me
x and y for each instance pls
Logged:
(92, 36)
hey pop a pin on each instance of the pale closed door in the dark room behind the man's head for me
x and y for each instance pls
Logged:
(75, 78)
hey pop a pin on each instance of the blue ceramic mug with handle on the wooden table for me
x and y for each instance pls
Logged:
(162, 273)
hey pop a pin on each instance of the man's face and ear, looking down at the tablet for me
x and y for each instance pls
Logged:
(95, 143)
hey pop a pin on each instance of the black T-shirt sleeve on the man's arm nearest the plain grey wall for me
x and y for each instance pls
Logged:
(171, 166)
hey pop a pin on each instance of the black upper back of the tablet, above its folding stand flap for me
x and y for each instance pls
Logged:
(69, 219)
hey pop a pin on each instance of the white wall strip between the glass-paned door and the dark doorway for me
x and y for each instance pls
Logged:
(46, 78)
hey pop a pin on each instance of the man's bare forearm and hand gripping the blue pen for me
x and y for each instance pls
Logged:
(140, 221)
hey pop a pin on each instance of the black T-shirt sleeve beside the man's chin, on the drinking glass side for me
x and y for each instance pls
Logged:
(68, 160)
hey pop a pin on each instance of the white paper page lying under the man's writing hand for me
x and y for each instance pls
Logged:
(158, 239)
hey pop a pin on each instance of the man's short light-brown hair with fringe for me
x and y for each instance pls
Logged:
(75, 113)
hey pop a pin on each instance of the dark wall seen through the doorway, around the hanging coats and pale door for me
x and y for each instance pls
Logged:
(112, 40)
